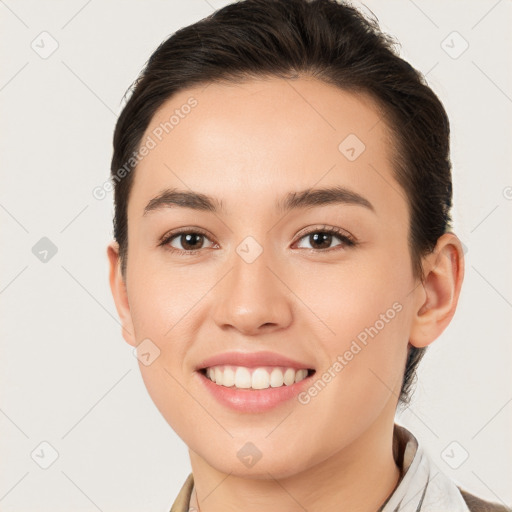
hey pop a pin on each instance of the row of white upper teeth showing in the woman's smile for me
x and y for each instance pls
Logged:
(255, 378)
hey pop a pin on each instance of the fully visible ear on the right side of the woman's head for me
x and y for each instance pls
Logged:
(438, 294)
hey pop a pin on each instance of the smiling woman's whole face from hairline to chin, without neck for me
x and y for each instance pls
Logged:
(265, 275)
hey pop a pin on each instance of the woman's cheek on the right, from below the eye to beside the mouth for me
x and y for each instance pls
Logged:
(365, 326)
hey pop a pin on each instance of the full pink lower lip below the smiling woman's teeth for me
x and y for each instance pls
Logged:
(254, 400)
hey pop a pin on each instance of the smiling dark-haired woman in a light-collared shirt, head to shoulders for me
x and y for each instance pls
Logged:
(283, 256)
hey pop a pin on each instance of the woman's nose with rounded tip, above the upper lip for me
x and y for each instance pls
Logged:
(253, 299)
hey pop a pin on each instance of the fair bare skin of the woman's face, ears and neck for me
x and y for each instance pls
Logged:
(249, 145)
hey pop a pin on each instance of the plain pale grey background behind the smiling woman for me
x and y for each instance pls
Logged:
(67, 376)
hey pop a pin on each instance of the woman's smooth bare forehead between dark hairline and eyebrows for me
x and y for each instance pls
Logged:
(264, 137)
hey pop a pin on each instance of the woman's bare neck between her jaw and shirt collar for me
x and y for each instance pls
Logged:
(358, 478)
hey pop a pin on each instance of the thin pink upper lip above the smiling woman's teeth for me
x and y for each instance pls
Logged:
(252, 360)
